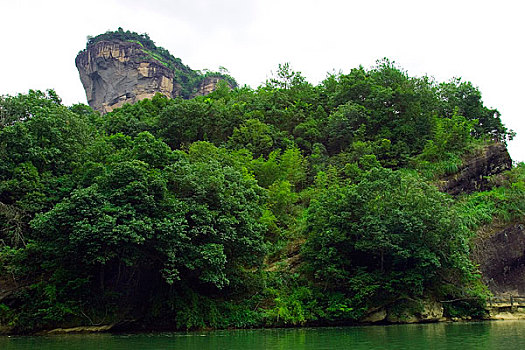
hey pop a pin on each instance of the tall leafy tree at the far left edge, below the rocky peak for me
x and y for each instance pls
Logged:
(41, 145)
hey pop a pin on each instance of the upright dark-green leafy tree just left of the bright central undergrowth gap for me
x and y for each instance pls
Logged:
(223, 211)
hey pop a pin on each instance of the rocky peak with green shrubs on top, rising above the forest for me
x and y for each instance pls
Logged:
(115, 69)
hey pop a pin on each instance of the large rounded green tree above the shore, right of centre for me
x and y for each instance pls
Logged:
(383, 238)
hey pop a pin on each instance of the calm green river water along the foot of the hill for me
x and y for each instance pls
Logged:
(506, 335)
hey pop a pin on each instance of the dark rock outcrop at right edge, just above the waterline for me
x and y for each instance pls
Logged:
(500, 254)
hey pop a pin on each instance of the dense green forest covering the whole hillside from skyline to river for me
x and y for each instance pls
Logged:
(289, 204)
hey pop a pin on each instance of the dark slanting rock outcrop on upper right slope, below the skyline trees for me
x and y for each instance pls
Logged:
(472, 175)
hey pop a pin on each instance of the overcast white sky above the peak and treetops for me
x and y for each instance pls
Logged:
(480, 41)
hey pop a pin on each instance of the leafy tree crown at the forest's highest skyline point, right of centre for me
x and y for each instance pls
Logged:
(382, 103)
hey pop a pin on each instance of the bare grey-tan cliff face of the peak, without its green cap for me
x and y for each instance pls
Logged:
(117, 72)
